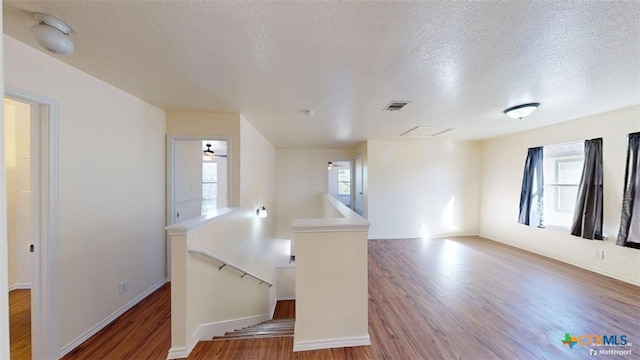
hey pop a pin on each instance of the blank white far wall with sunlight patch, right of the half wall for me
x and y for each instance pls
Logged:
(422, 188)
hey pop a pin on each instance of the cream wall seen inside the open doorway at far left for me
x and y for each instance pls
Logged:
(17, 117)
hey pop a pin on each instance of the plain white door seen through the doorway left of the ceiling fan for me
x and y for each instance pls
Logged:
(187, 180)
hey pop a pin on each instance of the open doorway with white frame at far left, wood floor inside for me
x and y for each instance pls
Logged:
(30, 148)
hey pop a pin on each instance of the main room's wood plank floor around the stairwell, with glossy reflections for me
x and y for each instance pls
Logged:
(461, 298)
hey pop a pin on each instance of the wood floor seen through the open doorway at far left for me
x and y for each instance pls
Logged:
(20, 324)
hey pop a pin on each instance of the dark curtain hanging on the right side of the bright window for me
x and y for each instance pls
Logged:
(587, 217)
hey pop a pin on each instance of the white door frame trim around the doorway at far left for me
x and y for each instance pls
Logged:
(44, 220)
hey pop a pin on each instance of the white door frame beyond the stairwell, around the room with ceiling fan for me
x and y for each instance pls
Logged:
(171, 206)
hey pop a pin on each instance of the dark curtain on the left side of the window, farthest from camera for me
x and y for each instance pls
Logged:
(531, 195)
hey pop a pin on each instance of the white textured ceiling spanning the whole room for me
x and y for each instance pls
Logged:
(459, 64)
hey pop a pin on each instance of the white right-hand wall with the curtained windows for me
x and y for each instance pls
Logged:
(502, 167)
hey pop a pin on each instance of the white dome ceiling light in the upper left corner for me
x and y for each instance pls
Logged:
(52, 34)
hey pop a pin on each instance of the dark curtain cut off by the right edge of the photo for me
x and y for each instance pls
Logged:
(629, 234)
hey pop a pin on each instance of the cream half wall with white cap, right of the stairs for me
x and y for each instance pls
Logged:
(324, 318)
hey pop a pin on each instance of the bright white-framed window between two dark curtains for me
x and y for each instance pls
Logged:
(562, 165)
